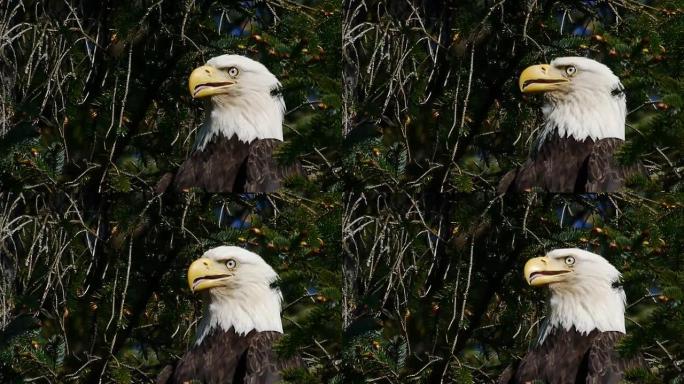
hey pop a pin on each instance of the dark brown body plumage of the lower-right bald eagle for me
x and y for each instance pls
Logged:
(569, 357)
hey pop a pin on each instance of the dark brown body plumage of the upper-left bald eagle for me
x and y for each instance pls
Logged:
(231, 165)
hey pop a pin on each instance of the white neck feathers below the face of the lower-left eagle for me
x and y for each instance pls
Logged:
(252, 307)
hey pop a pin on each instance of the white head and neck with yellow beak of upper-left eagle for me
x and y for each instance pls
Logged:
(244, 99)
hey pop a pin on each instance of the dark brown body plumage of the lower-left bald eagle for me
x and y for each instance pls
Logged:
(225, 357)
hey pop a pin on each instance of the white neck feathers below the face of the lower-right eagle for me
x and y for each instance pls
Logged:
(586, 307)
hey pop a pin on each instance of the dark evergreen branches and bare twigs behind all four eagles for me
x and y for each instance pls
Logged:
(94, 109)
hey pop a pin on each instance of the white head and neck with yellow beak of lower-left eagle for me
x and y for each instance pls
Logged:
(238, 291)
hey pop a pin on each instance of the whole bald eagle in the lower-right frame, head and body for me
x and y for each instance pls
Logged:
(586, 319)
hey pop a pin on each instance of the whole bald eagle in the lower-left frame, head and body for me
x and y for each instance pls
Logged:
(240, 324)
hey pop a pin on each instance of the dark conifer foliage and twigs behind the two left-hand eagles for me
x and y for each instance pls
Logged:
(94, 109)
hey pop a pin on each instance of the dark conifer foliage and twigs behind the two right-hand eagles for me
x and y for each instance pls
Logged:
(433, 118)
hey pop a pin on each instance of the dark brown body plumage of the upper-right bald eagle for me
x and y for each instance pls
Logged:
(566, 165)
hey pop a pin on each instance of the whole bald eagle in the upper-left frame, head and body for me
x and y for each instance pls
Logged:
(233, 150)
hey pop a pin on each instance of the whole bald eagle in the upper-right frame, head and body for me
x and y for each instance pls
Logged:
(584, 113)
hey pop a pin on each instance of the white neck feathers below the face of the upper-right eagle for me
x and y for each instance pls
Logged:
(585, 114)
